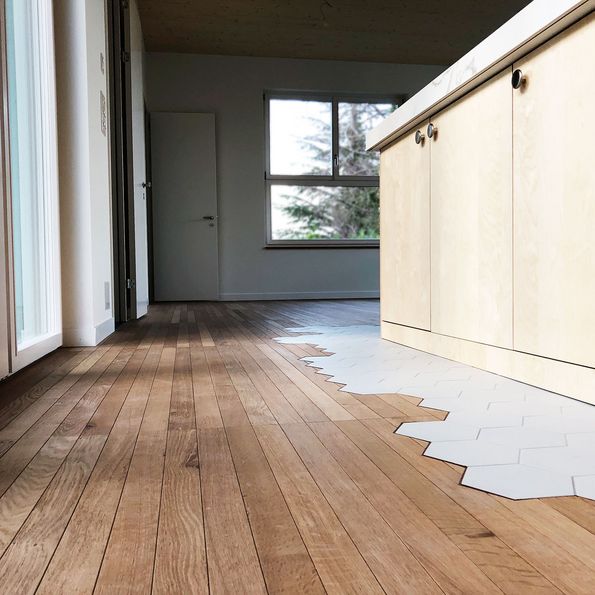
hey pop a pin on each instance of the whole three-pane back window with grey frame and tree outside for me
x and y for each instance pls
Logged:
(322, 184)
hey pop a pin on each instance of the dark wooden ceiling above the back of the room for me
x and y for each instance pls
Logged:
(399, 31)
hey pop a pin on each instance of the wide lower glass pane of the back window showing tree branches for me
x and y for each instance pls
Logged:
(324, 213)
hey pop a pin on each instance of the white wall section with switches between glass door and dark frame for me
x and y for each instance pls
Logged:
(85, 204)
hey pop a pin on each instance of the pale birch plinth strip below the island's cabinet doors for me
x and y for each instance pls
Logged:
(571, 380)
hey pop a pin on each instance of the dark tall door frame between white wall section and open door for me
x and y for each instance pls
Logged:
(120, 95)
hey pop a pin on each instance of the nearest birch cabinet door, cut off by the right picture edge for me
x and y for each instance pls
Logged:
(554, 198)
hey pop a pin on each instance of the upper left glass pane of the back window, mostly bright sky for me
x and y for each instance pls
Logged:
(301, 137)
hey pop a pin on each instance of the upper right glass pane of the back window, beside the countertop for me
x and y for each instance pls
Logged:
(355, 120)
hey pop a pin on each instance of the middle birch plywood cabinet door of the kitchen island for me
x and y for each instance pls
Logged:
(471, 183)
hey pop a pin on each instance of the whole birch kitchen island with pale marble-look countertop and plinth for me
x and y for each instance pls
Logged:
(487, 189)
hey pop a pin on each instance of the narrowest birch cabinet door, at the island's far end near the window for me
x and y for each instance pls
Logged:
(405, 231)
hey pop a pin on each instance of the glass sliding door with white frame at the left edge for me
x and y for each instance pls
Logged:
(32, 182)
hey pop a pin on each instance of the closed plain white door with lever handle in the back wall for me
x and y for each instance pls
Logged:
(185, 248)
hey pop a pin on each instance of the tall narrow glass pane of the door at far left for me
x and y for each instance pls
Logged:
(25, 106)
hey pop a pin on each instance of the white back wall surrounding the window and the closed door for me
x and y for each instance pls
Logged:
(232, 88)
